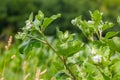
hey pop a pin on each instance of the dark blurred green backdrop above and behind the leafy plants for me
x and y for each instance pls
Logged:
(13, 13)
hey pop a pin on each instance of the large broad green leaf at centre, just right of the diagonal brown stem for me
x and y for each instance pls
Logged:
(70, 48)
